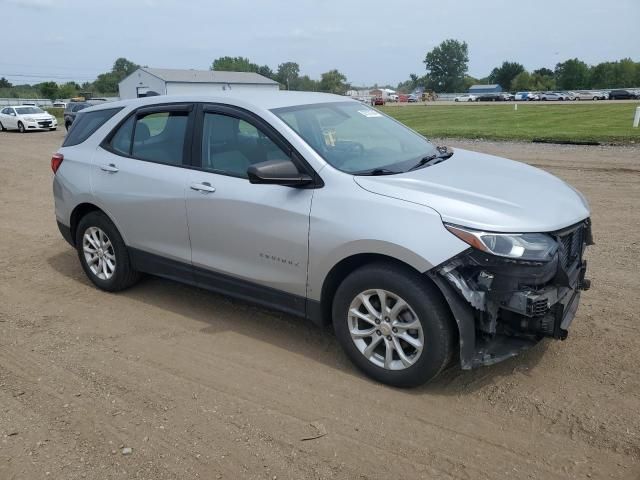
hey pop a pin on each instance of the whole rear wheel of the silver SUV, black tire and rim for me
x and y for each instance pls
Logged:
(103, 254)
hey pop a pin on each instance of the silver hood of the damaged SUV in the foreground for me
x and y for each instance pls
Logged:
(486, 193)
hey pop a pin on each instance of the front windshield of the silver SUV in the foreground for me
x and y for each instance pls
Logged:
(355, 138)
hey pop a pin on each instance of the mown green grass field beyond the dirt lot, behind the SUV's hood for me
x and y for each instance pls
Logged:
(599, 122)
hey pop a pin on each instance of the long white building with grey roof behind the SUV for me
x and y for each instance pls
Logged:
(164, 81)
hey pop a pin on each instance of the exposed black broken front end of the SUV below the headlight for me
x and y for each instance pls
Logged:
(504, 306)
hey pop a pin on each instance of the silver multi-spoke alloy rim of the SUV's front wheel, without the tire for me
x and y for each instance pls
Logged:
(385, 329)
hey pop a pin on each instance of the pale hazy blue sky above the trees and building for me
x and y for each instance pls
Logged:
(369, 41)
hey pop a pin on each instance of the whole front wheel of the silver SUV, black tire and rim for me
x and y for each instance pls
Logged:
(393, 324)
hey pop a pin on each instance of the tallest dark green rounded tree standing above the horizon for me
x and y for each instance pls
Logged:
(447, 65)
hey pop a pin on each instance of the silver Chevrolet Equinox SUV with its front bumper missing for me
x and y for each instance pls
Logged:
(327, 209)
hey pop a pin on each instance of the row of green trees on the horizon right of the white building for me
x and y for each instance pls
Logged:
(447, 66)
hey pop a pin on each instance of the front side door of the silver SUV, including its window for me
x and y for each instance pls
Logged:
(243, 235)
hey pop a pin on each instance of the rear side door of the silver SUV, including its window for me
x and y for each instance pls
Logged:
(139, 178)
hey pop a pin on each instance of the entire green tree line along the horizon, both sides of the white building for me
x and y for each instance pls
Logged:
(446, 71)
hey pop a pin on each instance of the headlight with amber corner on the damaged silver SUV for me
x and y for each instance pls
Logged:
(537, 247)
